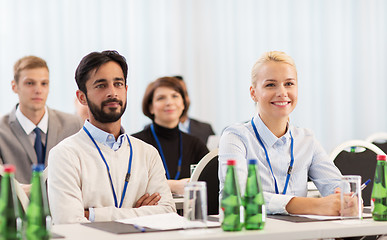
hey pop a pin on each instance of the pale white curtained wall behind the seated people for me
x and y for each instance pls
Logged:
(339, 48)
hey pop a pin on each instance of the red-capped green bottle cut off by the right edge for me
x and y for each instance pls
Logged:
(379, 190)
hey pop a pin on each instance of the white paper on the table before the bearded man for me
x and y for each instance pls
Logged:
(166, 221)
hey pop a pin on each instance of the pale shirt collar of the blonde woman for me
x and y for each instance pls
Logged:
(267, 136)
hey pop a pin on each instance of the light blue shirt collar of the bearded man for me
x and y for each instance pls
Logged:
(105, 138)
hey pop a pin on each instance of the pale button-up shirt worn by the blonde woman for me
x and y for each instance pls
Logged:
(239, 142)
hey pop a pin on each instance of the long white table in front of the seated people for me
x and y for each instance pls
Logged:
(274, 229)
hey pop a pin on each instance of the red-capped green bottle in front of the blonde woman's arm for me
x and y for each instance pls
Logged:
(231, 201)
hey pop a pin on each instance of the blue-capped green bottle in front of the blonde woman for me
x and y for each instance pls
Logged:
(254, 203)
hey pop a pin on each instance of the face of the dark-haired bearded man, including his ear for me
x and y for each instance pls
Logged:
(106, 93)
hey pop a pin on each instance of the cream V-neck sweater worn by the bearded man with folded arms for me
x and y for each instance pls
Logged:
(78, 180)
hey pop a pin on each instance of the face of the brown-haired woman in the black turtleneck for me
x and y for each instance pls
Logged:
(167, 107)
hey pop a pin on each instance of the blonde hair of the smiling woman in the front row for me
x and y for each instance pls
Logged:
(275, 56)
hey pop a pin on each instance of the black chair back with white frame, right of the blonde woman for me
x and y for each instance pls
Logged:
(356, 162)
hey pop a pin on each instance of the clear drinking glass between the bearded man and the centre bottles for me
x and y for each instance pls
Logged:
(195, 205)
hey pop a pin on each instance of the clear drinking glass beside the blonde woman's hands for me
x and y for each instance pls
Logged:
(350, 196)
